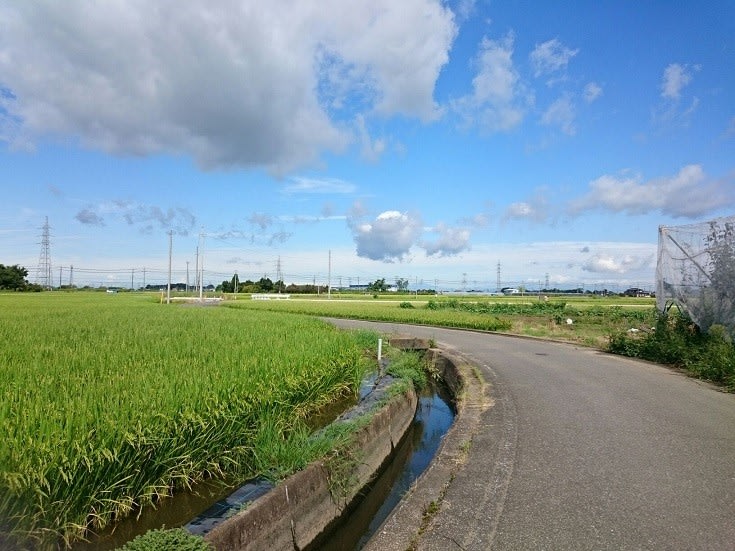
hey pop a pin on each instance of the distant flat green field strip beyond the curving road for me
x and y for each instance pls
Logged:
(593, 318)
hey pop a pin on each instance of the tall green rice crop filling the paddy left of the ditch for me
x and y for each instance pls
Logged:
(109, 402)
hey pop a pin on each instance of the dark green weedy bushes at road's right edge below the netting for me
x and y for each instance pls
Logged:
(676, 340)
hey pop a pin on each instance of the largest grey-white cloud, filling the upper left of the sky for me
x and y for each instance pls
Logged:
(230, 83)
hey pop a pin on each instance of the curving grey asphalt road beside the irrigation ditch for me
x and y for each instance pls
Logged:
(585, 450)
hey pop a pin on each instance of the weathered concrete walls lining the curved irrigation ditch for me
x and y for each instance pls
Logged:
(297, 510)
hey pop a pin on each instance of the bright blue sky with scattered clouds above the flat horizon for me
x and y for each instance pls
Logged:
(418, 139)
